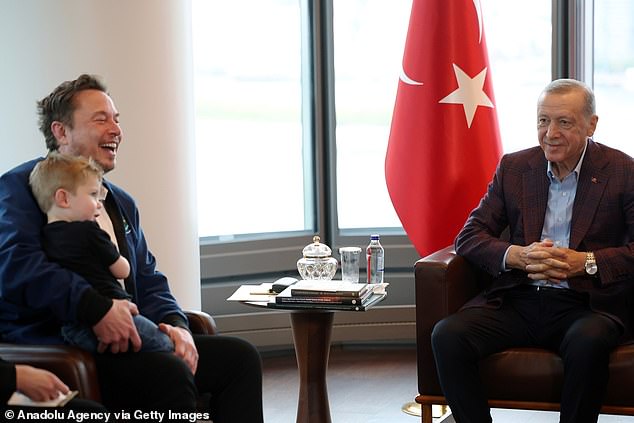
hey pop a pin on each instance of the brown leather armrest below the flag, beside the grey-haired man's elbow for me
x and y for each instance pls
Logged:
(444, 283)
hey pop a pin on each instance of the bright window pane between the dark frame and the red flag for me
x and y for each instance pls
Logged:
(367, 65)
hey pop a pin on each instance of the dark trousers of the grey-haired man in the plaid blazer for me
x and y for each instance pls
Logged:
(559, 320)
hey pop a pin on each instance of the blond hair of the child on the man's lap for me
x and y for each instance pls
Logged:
(60, 171)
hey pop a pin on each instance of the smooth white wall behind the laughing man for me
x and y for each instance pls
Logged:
(142, 49)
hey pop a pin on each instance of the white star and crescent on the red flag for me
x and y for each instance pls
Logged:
(470, 93)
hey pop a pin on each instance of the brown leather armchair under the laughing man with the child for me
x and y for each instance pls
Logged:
(76, 367)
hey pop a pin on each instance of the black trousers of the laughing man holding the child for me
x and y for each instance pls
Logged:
(229, 374)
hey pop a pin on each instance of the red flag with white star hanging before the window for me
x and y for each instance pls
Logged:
(444, 141)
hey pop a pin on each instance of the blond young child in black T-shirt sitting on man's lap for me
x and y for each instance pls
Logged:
(68, 190)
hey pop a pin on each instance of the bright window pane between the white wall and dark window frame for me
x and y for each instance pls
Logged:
(249, 132)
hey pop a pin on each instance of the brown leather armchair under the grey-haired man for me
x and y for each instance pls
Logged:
(520, 378)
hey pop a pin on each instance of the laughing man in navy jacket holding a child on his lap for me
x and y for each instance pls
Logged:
(37, 296)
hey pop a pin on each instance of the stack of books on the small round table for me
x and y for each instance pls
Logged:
(333, 295)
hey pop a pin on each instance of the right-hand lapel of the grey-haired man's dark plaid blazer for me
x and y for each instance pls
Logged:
(592, 182)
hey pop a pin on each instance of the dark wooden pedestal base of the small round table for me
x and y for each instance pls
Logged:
(311, 335)
